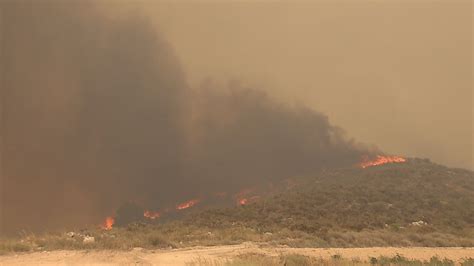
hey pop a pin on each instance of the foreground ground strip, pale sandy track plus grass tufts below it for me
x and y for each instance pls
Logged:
(249, 254)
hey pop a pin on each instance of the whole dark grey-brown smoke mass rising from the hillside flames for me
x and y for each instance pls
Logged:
(97, 111)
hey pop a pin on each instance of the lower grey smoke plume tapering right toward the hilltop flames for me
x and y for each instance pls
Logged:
(242, 137)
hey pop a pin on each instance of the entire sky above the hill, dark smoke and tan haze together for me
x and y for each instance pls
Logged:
(158, 102)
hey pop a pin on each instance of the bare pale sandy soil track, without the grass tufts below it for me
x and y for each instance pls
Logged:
(140, 256)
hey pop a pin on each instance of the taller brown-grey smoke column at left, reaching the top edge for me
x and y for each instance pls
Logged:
(92, 112)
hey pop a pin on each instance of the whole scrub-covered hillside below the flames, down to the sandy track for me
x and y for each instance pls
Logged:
(416, 203)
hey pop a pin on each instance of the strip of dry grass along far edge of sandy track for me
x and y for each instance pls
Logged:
(179, 235)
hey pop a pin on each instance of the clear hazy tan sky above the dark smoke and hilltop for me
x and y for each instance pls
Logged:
(397, 74)
